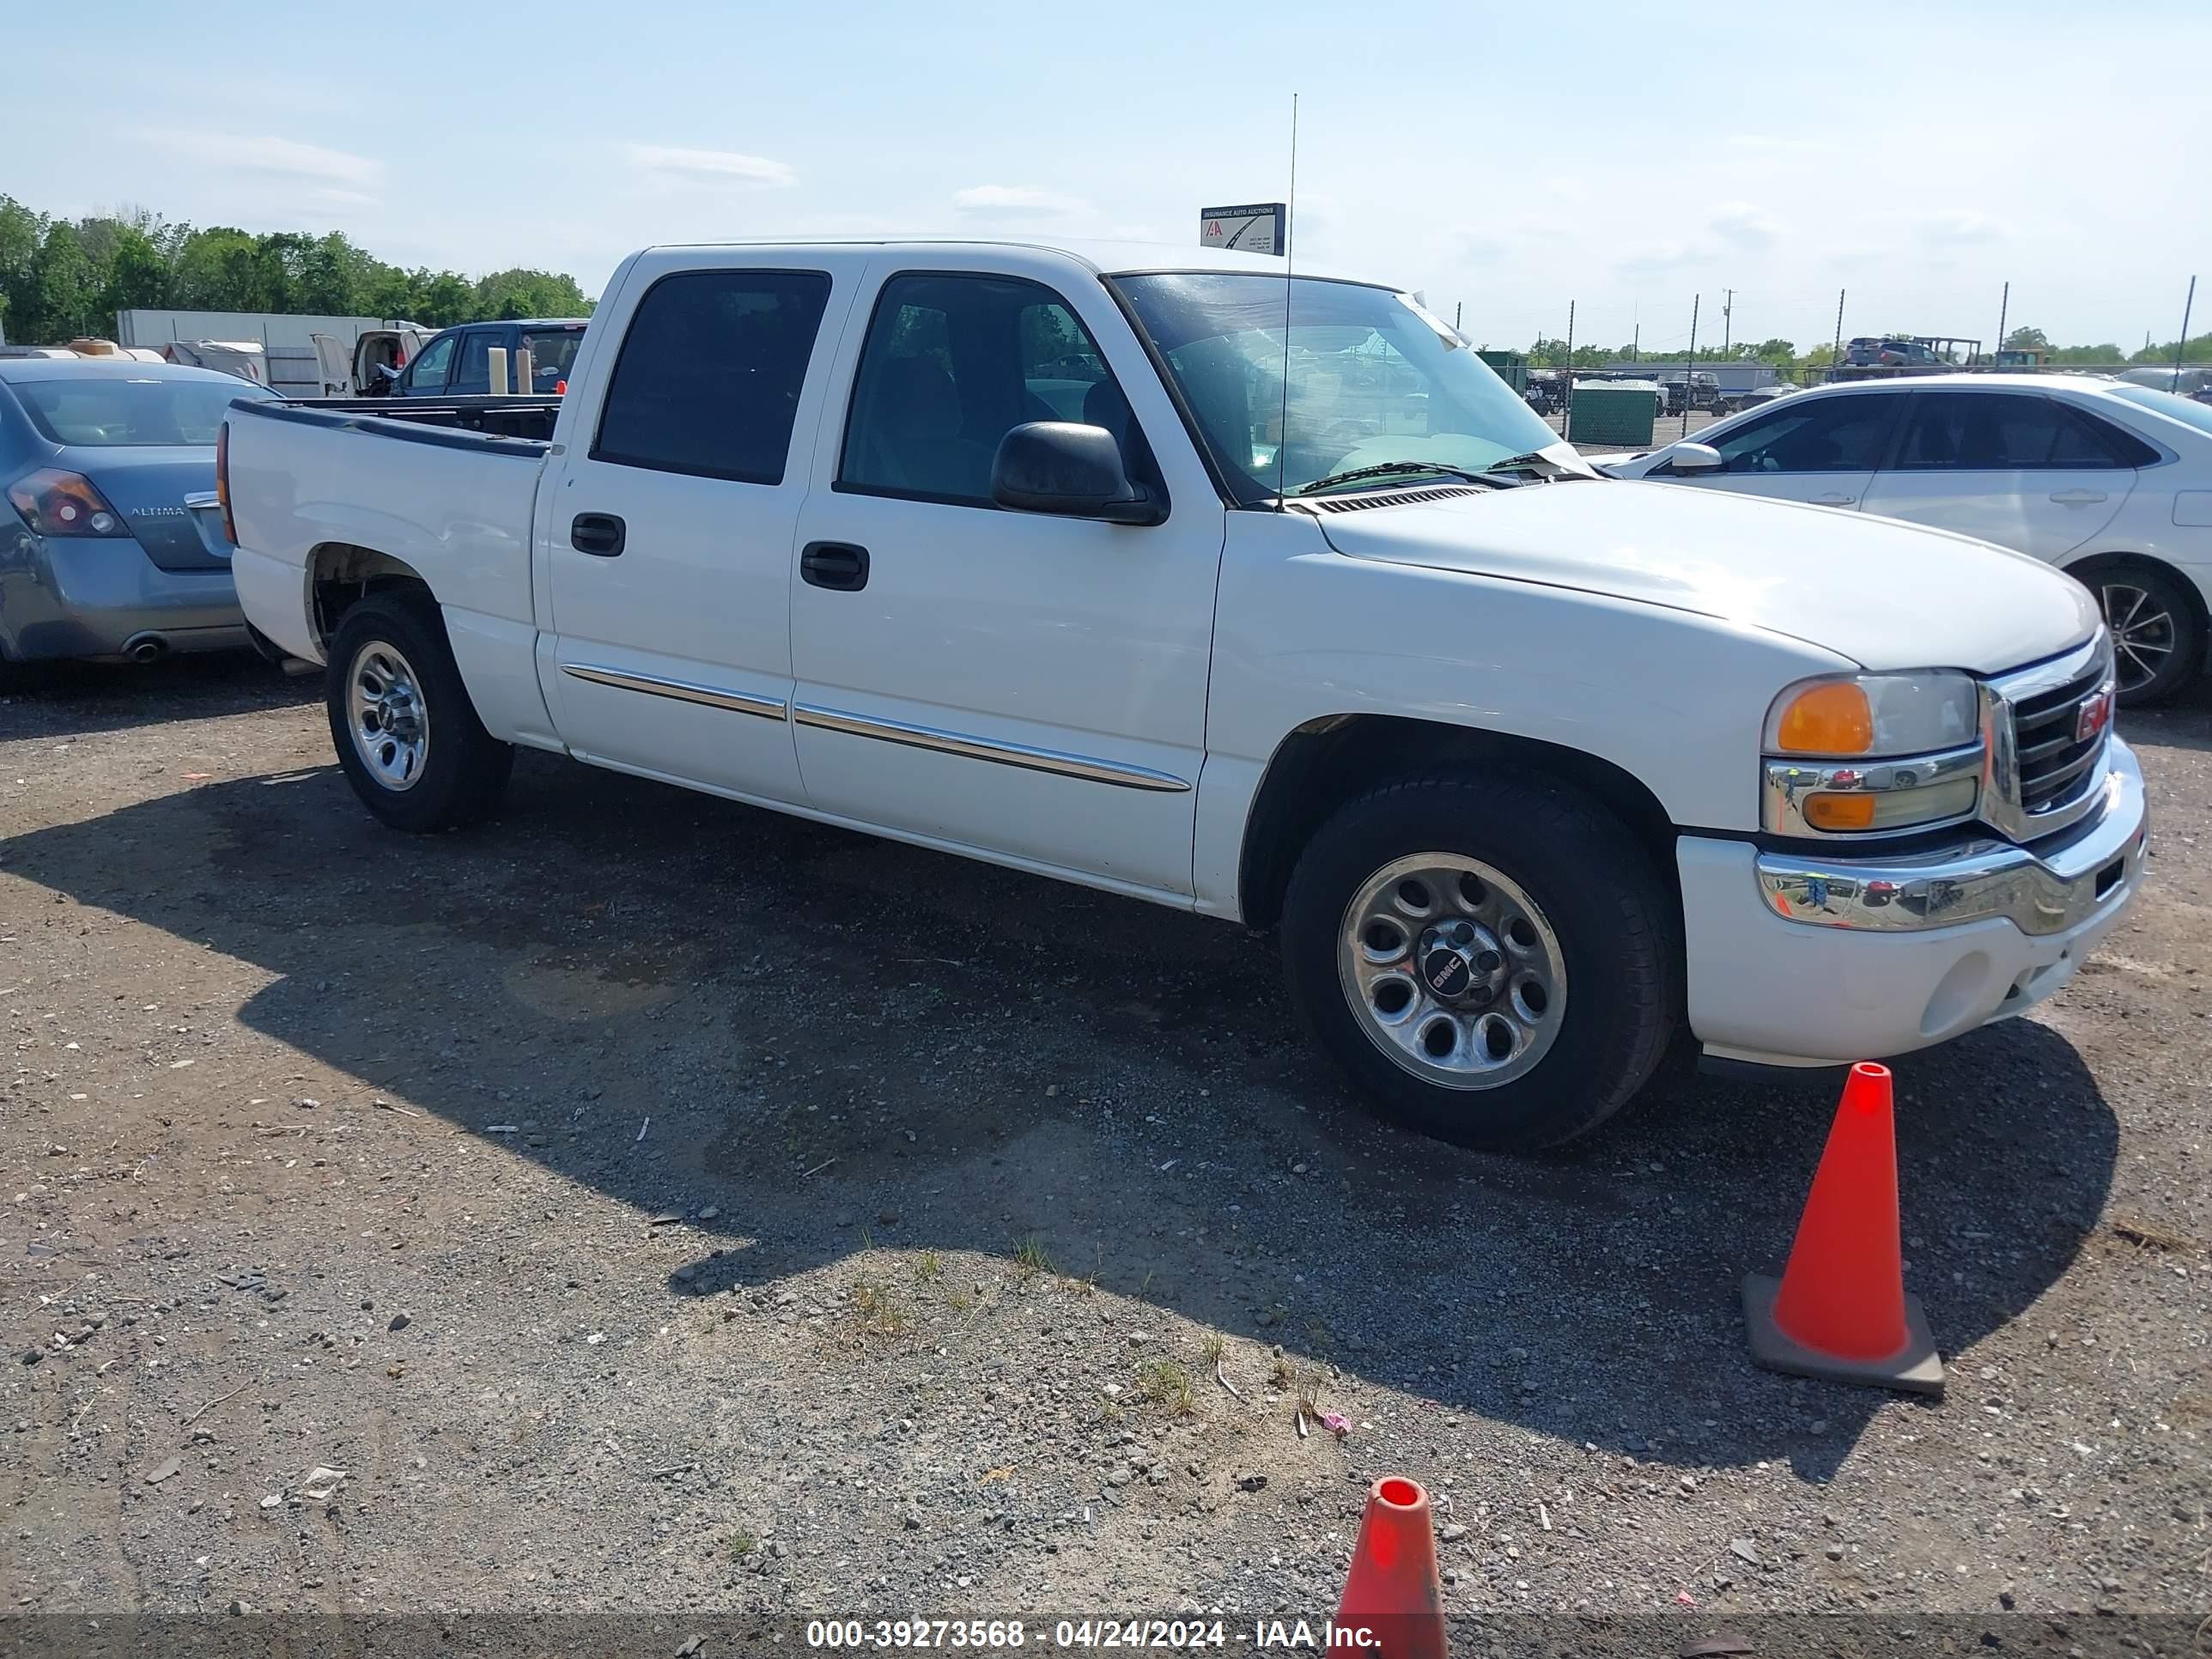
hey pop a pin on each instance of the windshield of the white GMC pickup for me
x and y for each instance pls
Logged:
(1373, 379)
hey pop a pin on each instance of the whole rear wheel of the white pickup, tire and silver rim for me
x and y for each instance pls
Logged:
(401, 720)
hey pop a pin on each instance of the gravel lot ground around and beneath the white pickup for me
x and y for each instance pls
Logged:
(658, 1204)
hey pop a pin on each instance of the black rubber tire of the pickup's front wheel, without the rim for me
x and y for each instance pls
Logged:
(1611, 915)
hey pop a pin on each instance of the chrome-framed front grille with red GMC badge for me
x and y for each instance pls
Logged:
(2043, 775)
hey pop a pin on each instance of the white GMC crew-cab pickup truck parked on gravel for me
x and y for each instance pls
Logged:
(1067, 559)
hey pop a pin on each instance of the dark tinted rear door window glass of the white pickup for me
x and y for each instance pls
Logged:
(711, 371)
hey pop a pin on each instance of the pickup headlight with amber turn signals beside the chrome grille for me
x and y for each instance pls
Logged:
(1872, 755)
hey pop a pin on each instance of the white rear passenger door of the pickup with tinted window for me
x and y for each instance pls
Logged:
(667, 528)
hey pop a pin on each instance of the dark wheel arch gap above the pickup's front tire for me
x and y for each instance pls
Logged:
(1339, 758)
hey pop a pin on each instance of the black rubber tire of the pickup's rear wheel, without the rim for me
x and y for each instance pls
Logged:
(463, 771)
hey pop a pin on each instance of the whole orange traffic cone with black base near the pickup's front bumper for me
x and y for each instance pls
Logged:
(1839, 1311)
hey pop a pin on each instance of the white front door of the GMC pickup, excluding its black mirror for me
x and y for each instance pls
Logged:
(1003, 682)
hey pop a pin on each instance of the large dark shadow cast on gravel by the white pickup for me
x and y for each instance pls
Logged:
(844, 1041)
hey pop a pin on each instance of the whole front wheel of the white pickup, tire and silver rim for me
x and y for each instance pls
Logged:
(1488, 957)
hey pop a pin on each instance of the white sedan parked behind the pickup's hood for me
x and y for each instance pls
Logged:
(2105, 479)
